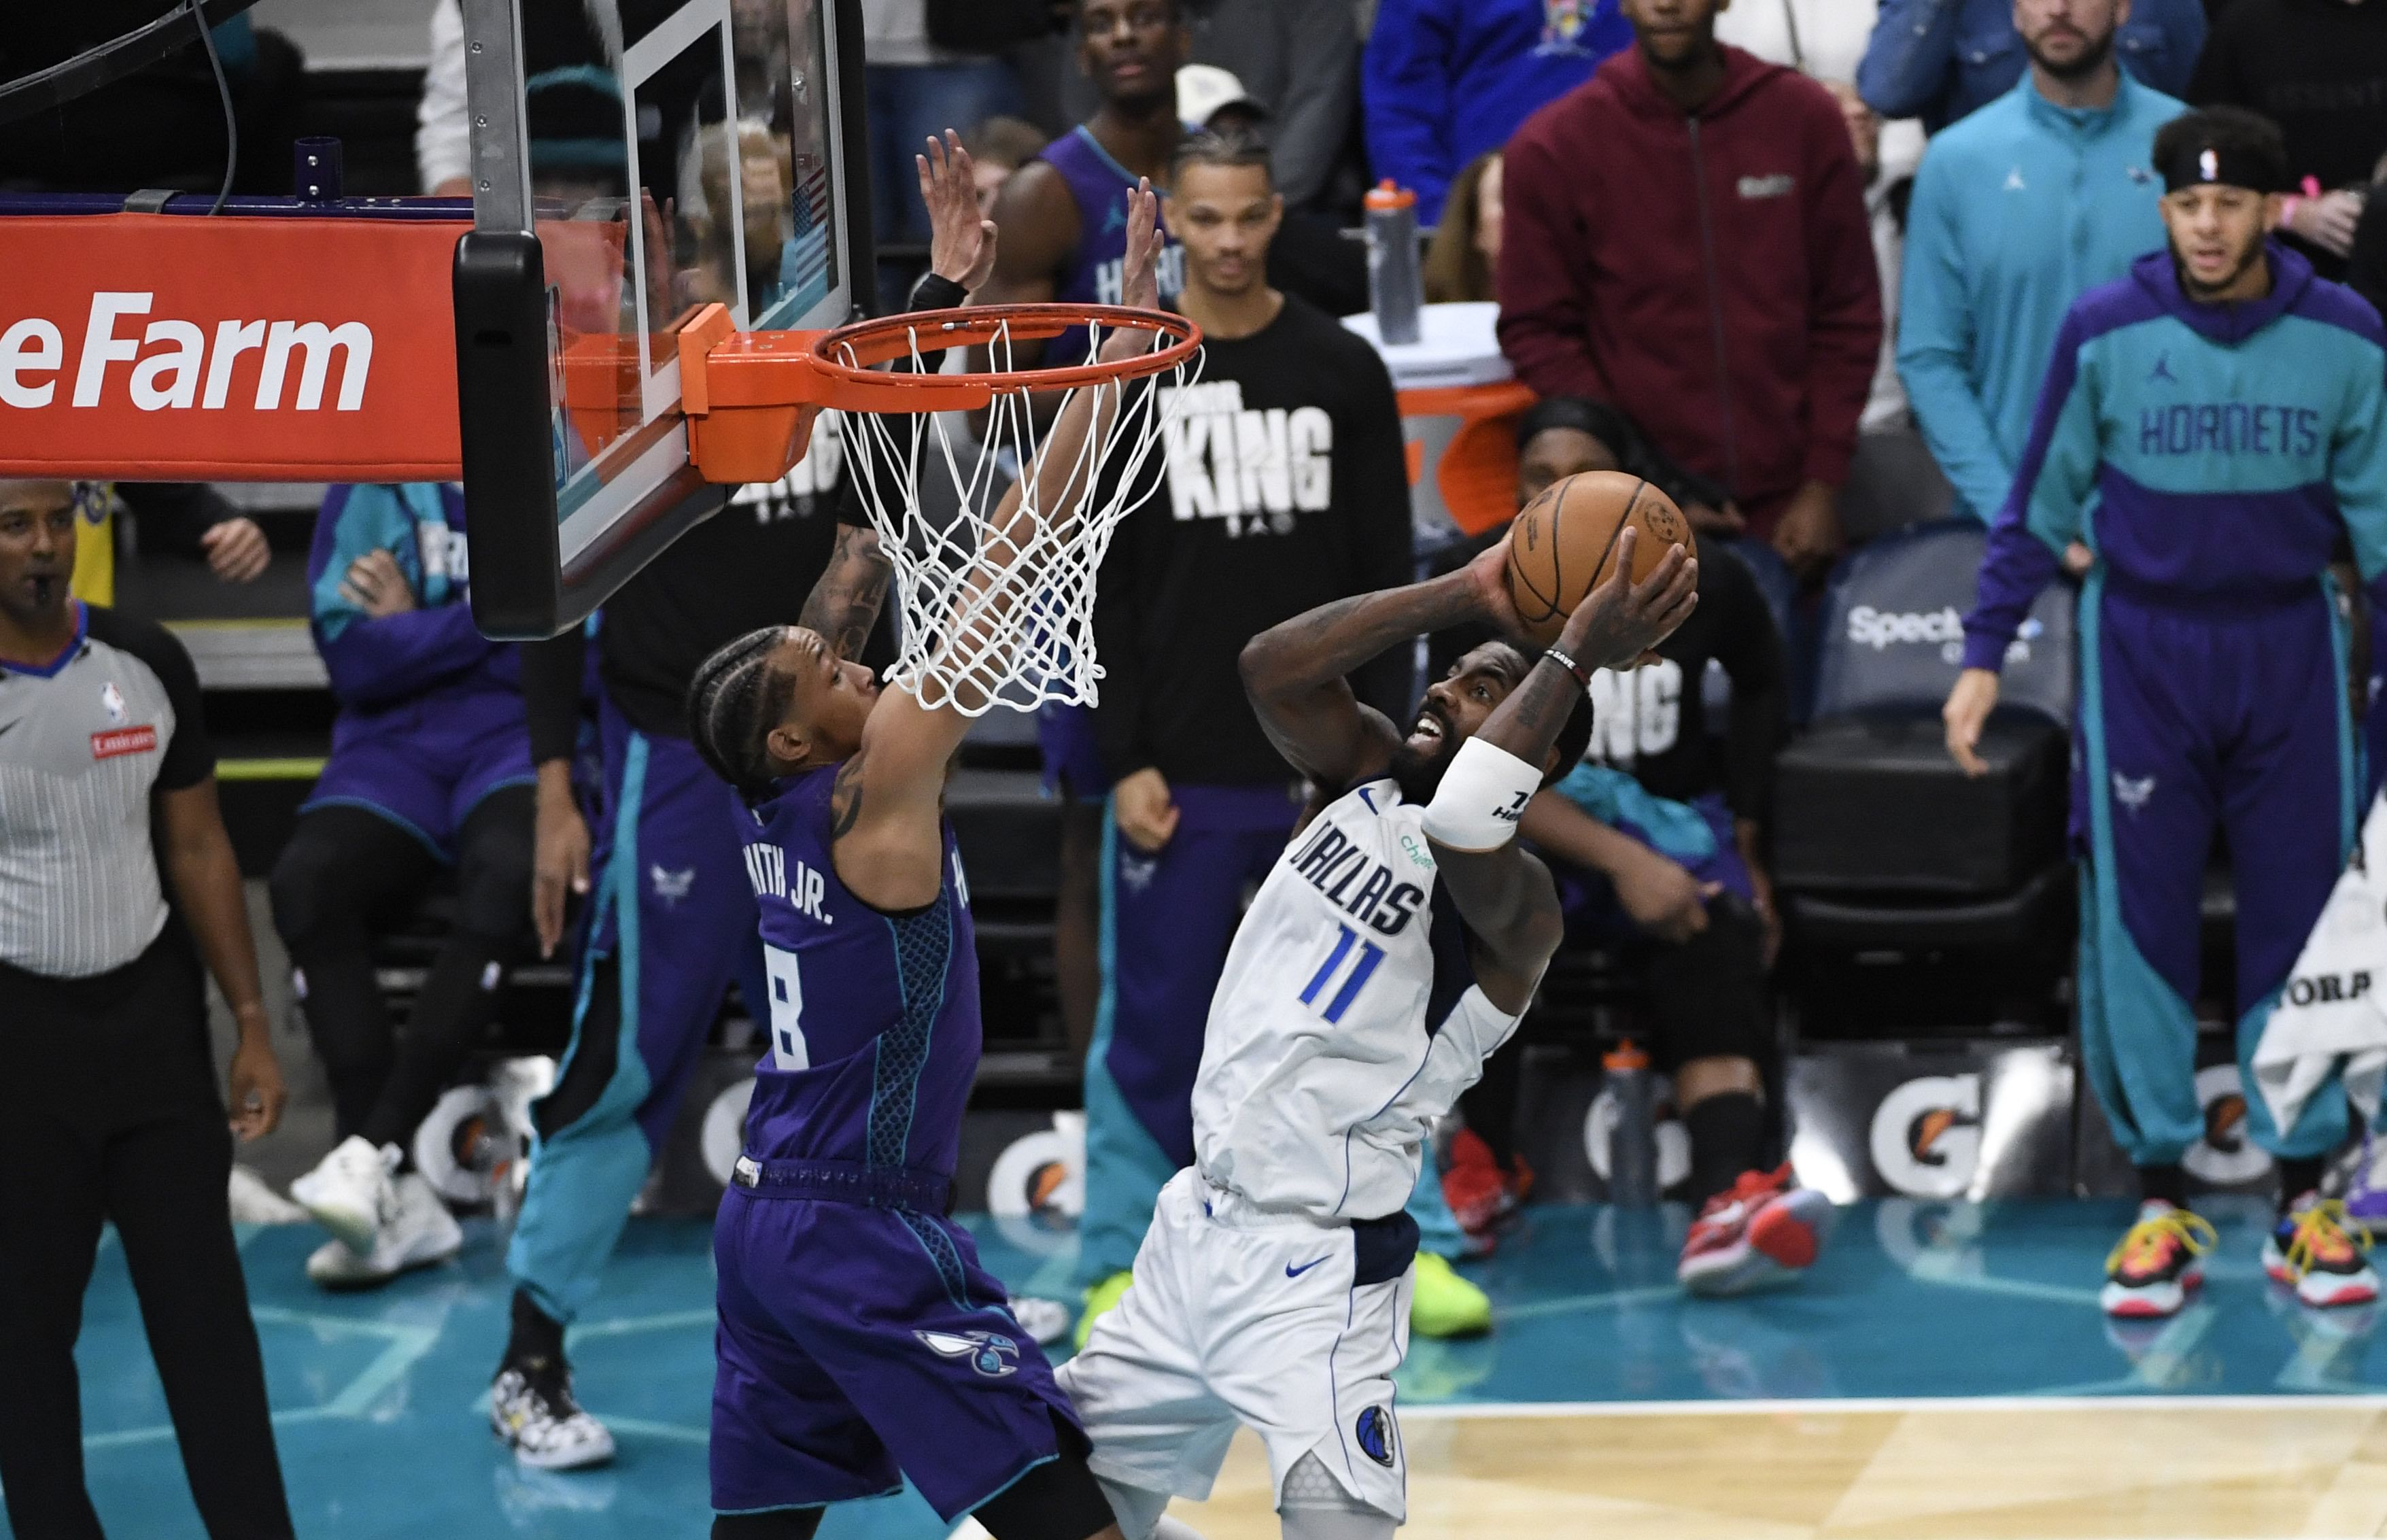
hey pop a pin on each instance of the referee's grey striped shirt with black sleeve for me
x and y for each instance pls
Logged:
(87, 744)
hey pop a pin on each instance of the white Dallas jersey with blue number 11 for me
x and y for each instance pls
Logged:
(1347, 1021)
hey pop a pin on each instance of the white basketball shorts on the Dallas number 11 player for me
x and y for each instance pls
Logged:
(1245, 1319)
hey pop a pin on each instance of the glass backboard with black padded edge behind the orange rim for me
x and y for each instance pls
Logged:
(634, 161)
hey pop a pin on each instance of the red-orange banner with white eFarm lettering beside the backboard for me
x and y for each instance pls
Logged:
(166, 347)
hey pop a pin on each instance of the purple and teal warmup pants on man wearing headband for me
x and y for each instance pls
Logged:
(2197, 722)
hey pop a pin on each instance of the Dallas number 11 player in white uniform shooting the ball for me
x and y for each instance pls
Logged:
(1388, 954)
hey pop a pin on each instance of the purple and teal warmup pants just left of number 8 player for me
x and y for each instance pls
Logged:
(672, 923)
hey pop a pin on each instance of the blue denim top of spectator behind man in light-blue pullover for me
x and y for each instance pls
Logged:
(1944, 58)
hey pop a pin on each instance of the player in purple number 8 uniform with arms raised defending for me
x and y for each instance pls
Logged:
(858, 1338)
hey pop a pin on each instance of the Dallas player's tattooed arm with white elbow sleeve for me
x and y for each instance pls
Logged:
(1503, 892)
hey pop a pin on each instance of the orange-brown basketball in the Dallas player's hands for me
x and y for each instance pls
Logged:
(1565, 543)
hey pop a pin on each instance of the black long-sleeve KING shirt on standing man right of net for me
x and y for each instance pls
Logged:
(1283, 488)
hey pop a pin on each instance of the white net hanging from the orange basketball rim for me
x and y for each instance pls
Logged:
(997, 600)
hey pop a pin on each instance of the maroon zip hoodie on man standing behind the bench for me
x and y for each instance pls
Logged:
(1710, 276)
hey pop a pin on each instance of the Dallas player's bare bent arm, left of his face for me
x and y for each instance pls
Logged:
(1297, 674)
